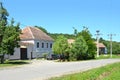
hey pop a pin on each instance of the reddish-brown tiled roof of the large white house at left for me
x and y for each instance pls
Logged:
(34, 33)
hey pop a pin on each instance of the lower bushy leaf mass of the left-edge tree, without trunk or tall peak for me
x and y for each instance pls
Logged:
(10, 38)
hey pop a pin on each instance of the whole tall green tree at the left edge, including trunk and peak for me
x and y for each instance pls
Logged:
(9, 34)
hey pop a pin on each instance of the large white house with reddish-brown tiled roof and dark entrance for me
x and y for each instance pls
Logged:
(34, 43)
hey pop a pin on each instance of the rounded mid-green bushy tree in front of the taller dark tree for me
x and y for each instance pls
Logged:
(79, 48)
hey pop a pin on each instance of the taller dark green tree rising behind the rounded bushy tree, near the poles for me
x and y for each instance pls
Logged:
(90, 42)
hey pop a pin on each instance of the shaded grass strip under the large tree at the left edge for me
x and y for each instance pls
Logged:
(10, 63)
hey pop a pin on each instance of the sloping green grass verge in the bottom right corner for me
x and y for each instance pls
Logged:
(109, 72)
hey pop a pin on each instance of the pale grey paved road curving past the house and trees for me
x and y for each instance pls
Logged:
(40, 70)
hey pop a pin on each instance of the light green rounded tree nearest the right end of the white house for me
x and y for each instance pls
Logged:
(60, 46)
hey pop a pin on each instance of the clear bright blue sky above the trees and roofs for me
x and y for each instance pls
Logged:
(60, 16)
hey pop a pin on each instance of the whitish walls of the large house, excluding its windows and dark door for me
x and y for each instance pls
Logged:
(32, 48)
